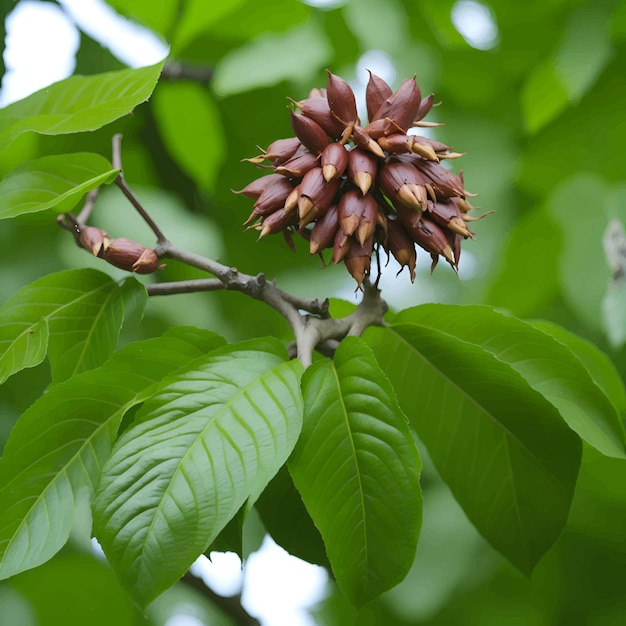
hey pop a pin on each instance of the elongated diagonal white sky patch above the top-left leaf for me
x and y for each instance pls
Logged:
(134, 45)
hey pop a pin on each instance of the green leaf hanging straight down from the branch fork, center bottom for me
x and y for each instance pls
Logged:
(357, 469)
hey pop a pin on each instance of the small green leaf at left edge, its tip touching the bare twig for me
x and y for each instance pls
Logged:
(59, 180)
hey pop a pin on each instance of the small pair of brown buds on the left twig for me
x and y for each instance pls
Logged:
(121, 252)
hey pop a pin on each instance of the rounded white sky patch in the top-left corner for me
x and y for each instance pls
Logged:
(41, 45)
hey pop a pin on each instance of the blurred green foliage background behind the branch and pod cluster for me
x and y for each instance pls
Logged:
(537, 104)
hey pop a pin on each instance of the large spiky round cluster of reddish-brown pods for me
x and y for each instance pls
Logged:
(354, 188)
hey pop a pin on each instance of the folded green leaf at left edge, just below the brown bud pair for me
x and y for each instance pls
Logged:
(75, 314)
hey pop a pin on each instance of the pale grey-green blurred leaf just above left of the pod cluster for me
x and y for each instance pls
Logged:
(297, 54)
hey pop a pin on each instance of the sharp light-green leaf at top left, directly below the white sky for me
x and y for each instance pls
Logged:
(78, 104)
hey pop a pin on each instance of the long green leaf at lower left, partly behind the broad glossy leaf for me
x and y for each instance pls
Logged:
(56, 450)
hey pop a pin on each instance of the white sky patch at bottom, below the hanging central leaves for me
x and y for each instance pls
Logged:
(279, 588)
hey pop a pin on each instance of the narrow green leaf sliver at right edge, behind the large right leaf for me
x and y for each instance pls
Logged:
(598, 364)
